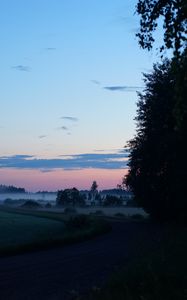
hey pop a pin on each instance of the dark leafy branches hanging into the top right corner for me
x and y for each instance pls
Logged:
(174, 16)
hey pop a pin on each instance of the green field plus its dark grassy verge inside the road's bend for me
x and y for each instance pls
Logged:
(30, 230)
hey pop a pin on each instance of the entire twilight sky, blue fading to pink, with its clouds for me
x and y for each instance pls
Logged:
(70, 72)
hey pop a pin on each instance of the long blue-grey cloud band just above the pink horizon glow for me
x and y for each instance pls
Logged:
(67, 162)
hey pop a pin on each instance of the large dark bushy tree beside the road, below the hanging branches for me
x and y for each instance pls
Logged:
(158, 165)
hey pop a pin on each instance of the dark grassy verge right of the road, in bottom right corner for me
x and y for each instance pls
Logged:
(155, 274)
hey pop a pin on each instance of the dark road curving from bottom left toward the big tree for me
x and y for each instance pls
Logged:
(63, 273)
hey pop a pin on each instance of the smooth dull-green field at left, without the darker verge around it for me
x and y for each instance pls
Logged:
(18, 230)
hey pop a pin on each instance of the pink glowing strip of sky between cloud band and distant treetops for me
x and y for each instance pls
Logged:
(34, 180)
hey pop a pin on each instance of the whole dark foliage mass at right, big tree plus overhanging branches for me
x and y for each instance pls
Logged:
(158, 163)
